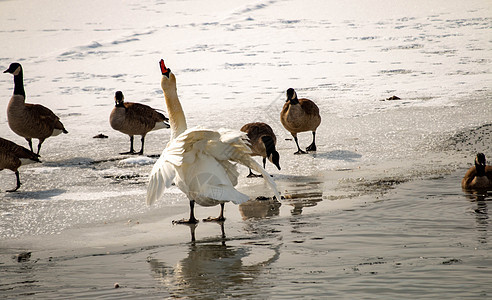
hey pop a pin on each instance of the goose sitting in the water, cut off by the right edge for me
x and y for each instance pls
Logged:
(478, 177)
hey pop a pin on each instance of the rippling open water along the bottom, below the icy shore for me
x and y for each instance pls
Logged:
(422, 239)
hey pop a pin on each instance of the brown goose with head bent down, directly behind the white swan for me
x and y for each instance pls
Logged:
(263, 141)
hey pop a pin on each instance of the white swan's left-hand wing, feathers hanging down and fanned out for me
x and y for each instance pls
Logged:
(162, 176)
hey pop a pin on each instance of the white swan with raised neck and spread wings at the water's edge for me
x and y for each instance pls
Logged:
(198, 160)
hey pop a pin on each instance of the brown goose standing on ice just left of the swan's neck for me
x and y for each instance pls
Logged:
(135, 119)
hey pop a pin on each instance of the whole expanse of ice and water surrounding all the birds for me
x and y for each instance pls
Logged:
(377, 212)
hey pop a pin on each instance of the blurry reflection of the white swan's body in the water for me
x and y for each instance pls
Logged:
(211, 270)
